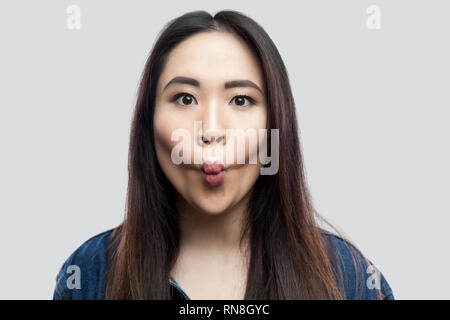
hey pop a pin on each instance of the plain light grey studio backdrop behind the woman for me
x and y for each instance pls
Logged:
(373, 110)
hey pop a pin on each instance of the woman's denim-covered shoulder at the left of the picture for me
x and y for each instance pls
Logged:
(82, 275)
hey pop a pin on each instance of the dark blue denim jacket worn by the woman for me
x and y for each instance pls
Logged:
(89, 261)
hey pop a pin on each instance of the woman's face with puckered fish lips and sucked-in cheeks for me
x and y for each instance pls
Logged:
(210, 67)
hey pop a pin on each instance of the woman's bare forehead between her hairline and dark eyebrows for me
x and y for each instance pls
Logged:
(213, 58)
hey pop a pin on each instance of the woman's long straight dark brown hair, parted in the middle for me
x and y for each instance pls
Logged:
(288, 257)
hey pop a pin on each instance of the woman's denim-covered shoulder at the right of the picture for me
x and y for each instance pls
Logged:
(359, 278)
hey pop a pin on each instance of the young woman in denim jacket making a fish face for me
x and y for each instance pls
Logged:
(216, 229)
